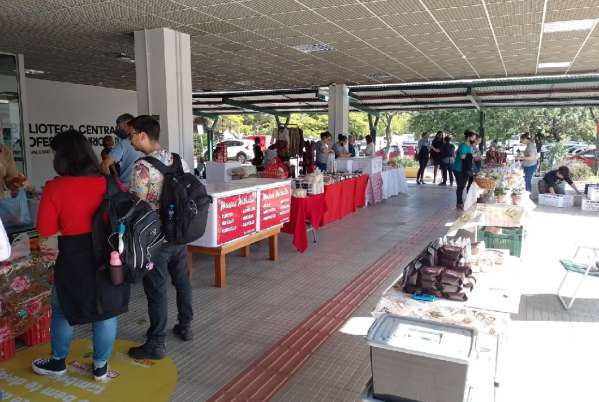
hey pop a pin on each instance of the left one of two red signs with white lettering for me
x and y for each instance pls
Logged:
(236, 216)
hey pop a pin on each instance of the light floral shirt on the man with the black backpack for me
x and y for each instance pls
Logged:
(146, 181)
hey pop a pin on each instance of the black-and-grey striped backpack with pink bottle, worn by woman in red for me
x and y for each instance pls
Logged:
(142, 236)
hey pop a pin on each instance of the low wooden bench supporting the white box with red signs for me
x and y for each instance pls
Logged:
(242, 244)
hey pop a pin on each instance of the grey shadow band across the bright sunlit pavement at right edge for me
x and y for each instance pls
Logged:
(547, 307)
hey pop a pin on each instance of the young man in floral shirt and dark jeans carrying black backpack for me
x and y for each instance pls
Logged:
(147, 183)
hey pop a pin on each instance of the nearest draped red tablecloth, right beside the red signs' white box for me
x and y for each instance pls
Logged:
(304, 209)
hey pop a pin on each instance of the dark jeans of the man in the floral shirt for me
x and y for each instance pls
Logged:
(171, 260)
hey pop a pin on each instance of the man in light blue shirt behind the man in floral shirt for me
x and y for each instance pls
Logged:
(122, 154)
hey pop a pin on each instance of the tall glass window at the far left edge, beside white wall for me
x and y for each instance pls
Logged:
(10, 109)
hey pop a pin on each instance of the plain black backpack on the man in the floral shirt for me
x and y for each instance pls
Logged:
(184, 202)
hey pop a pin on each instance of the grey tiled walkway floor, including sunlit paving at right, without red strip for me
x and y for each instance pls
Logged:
(265, 301)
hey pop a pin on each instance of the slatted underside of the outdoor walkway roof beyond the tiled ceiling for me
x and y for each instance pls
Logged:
(544, 91)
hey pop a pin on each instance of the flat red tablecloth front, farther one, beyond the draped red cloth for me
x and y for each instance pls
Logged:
(343, 198)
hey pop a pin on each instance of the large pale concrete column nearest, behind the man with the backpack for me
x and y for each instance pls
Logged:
(163, 81)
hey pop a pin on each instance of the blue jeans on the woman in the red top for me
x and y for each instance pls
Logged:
(104, 334)
